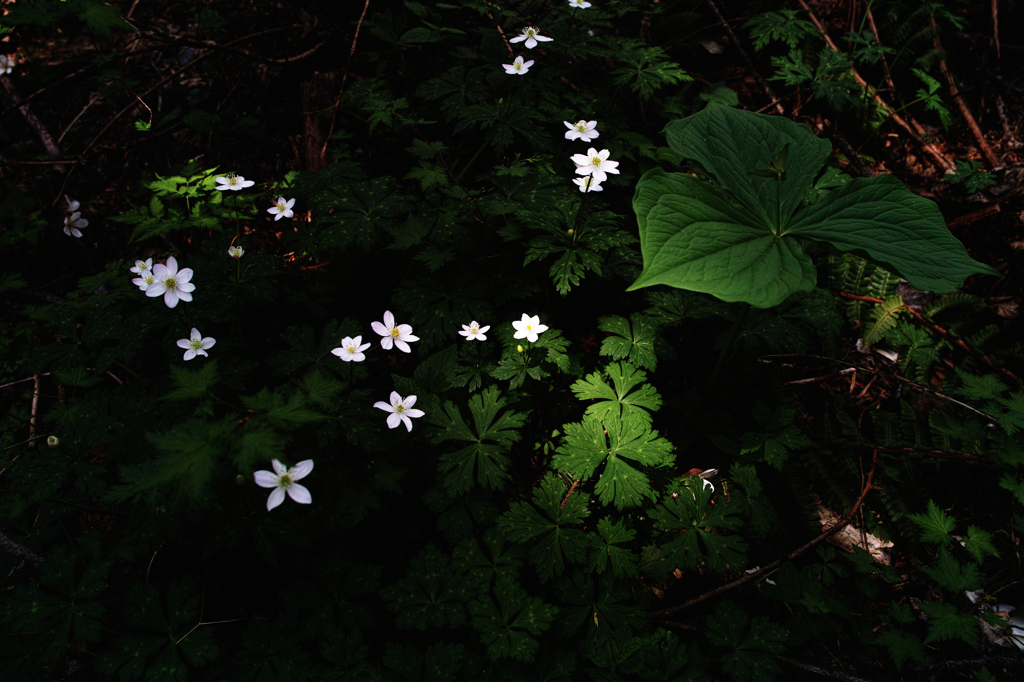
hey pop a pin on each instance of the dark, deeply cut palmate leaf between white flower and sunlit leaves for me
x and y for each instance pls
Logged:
(492, 437)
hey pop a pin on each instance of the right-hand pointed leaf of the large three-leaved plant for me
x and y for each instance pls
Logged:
(881, 220)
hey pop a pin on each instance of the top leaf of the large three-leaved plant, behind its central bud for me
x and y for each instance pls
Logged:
(730, 143)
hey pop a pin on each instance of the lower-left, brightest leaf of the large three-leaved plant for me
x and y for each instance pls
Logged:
(694, 237)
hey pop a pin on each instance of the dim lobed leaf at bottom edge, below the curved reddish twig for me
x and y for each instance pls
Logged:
(751, 644)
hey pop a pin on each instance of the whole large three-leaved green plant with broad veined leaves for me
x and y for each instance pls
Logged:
(737, 238)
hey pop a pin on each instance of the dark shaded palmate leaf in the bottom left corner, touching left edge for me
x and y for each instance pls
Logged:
(65, 604)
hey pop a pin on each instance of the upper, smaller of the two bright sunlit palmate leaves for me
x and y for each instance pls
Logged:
(617, 402)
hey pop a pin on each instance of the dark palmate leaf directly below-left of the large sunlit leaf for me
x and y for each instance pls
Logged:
(549, 524)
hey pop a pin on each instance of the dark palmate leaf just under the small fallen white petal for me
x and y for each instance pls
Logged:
(697, 529)
